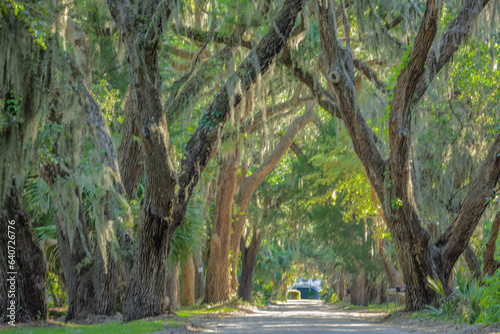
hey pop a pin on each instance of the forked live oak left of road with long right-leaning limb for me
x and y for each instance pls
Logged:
(167, 190)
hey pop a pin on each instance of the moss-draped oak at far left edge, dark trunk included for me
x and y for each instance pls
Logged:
(22, 92)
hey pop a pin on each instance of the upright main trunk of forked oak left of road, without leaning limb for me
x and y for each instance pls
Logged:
(145, 294)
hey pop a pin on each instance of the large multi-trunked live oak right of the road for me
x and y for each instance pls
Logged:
(391, 177)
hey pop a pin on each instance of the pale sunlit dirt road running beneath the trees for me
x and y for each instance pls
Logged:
(303, 316)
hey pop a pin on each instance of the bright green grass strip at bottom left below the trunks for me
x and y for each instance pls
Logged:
(133, 327)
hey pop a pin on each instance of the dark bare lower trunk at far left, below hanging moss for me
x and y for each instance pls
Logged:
(23, 280)
